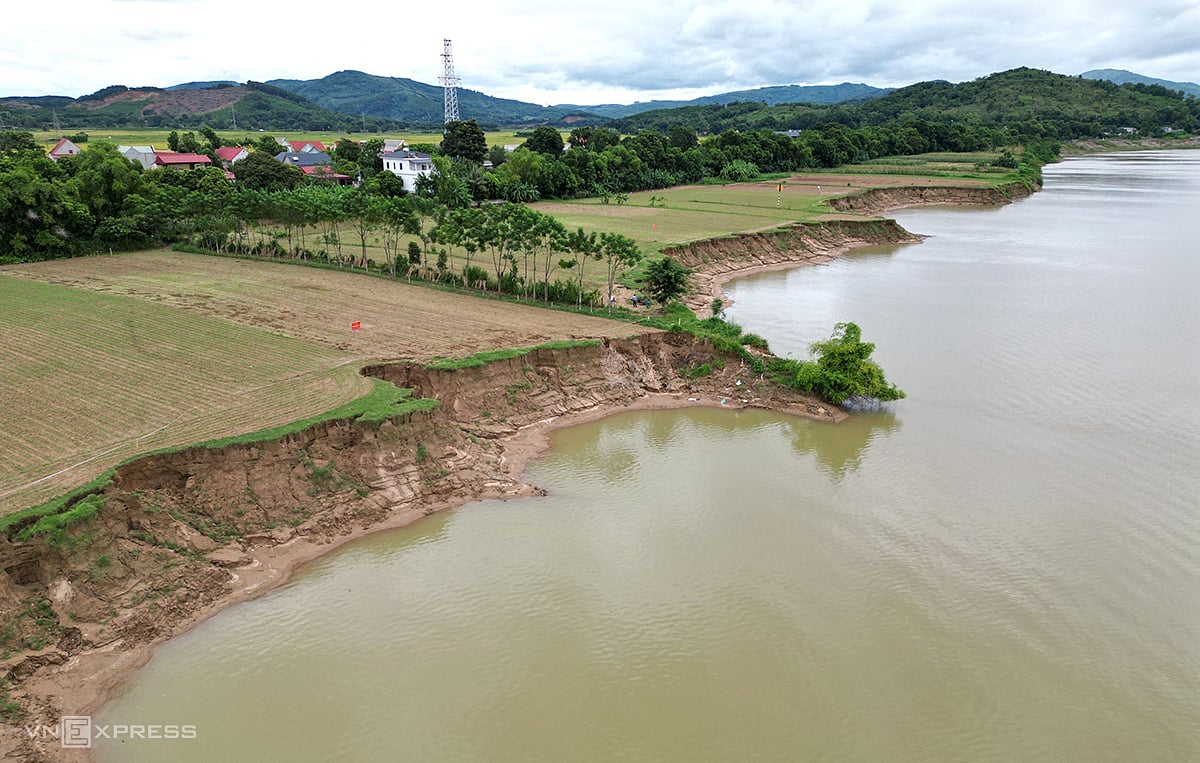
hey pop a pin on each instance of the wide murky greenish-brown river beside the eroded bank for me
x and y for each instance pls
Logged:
(1004, 567)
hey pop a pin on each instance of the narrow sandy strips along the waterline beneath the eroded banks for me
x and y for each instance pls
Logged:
(87, 681)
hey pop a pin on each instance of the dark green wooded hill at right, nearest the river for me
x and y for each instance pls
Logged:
(1024, 101)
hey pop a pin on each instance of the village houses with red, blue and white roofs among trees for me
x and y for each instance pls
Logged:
(310, 157)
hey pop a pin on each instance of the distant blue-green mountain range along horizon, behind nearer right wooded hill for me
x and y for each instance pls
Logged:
(357, 101)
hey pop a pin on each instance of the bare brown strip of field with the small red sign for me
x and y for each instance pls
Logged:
(398, 320)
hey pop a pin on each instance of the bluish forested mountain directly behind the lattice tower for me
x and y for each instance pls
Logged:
(400, 99)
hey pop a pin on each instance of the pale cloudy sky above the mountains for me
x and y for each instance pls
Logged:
(602, 52)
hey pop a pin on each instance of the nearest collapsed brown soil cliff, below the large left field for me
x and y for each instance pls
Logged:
(183, 534)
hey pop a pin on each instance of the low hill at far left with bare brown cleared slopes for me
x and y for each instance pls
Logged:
(251, 106)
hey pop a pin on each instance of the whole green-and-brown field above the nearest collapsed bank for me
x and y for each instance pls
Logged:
(111, 357)
